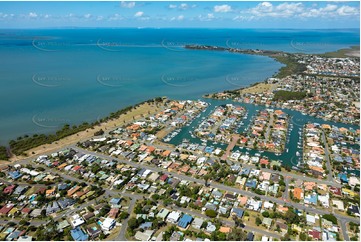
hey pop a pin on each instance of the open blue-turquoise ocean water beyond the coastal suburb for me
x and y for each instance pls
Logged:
(52, 77)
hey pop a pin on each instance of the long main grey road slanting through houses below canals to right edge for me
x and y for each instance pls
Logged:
(223, 187)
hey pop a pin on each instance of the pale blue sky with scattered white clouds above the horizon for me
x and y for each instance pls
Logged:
(174, 14)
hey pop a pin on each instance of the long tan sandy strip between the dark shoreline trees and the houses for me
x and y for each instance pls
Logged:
(136, 113)
